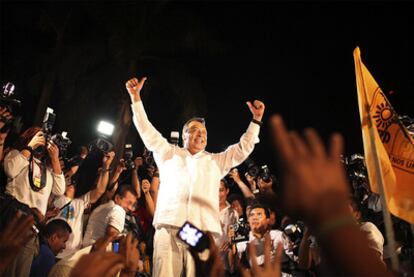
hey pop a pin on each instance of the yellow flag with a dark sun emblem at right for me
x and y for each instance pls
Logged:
(393, 144)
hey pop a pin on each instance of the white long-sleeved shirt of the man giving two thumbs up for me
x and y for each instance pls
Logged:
(189, 184)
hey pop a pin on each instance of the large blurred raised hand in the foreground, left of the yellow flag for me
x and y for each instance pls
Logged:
(310, 172)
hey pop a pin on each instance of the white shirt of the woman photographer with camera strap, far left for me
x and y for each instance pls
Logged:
(16, 167)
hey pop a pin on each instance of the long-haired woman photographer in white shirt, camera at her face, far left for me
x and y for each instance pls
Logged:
(33, 173)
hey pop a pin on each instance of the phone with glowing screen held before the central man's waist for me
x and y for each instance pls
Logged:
(193, 237)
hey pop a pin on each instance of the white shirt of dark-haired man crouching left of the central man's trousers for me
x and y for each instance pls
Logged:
(108, 214)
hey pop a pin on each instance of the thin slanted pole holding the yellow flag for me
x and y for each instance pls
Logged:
(389, 230)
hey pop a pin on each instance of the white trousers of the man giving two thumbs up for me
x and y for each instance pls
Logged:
(171, 257)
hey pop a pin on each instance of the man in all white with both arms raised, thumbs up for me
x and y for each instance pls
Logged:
(189, 181)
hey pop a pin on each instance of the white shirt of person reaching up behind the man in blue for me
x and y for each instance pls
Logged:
(73, 215)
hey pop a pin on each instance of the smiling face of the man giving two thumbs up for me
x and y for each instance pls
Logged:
(195, 137)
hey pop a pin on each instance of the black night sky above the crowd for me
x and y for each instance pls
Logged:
(207, 59)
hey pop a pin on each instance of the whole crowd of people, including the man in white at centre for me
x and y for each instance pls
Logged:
(305, 223)
